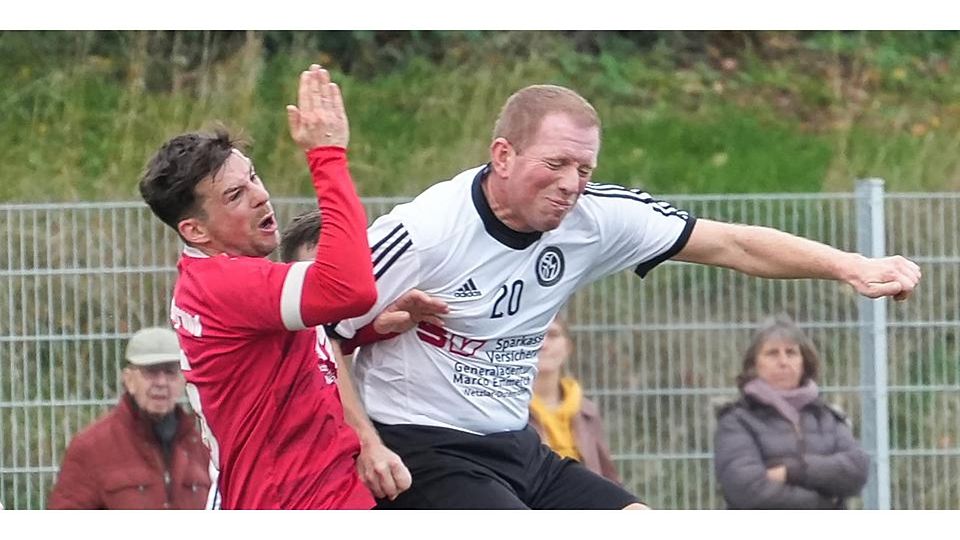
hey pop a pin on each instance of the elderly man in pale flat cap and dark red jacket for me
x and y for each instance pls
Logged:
(146, 453)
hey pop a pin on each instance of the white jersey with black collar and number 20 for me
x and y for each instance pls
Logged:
(503, 287)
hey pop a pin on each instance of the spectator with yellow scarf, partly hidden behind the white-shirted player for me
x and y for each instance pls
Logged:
(567, 422)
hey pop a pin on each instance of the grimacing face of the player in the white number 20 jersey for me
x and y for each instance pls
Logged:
(549, 174)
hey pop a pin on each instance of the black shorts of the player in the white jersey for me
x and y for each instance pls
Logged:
(452, 469)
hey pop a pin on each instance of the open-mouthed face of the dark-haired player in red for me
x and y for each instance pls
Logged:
(238, 218)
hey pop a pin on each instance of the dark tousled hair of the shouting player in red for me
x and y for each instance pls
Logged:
(168, 184)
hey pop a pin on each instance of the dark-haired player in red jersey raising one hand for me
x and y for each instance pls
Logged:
(260, 372)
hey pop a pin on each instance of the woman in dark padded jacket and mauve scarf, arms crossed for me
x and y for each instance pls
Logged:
(780, 445)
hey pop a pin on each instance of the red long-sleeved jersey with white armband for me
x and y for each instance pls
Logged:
(261, 376)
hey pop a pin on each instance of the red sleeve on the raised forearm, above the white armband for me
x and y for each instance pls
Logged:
(339, 284)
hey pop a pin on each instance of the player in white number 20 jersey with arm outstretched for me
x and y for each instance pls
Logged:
(505, 245)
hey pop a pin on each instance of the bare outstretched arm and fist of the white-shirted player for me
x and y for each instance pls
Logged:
(769, 253)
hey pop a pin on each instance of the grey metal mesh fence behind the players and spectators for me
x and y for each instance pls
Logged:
(658, 355)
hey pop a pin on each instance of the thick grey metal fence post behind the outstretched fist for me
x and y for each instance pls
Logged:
(875, 436)
